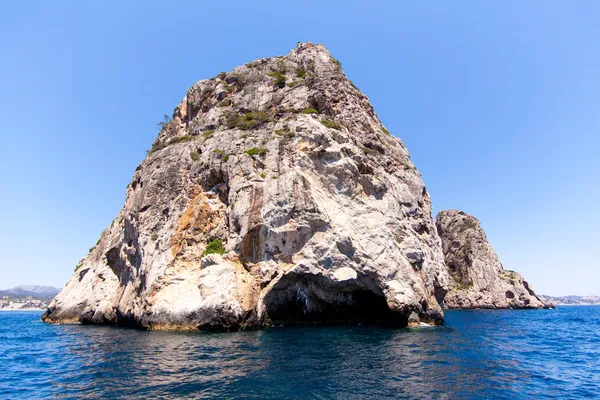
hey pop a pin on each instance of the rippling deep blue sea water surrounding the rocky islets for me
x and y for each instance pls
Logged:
(512, 354)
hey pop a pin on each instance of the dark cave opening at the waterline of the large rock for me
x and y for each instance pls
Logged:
(311, 300)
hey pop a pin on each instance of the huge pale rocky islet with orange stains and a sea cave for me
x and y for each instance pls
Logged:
(274, 195)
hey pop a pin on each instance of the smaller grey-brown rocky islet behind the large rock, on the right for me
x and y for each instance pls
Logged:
(478, 279)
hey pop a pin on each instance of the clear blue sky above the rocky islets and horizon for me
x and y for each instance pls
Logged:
(497, 101)
